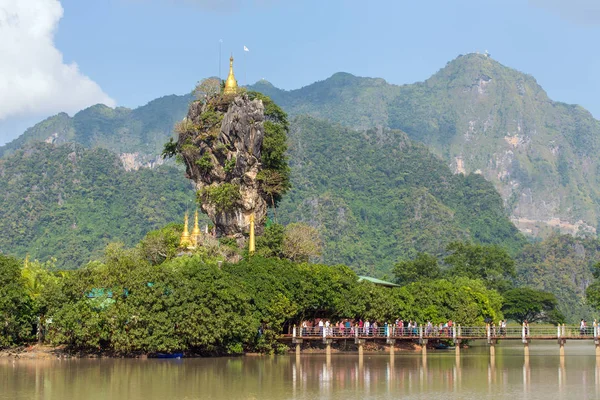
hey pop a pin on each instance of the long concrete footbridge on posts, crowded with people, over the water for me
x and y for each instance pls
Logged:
(423, 334)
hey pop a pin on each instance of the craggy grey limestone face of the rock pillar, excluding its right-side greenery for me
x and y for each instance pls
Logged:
(220, 142)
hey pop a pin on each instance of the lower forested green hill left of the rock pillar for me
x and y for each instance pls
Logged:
(69, 202)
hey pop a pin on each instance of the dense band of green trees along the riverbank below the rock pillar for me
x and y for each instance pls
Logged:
(132, 301)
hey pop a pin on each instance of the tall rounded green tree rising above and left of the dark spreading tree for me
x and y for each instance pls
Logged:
(491, 263)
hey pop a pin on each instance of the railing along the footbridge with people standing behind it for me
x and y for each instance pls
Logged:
(425, 332)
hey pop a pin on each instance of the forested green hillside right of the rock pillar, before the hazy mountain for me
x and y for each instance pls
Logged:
(377, 196)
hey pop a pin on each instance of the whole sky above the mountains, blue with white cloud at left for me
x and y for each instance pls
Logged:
(129, 52)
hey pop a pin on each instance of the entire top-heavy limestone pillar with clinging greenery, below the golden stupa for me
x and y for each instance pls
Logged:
(234, 149)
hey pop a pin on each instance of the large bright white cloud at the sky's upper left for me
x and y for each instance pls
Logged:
(34, 79)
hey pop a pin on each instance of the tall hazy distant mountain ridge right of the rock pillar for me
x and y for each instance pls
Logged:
(480, 116)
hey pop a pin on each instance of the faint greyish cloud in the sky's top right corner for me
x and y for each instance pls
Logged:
(585, 12)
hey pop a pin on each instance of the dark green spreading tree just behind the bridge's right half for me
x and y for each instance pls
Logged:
(526, 304)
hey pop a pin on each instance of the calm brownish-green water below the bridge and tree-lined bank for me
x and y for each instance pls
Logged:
(340, 376)
